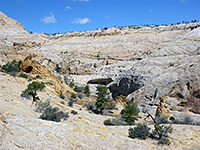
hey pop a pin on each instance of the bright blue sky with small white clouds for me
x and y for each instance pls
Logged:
(53, 16)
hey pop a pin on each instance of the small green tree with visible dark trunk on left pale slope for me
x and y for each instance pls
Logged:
(33, 88)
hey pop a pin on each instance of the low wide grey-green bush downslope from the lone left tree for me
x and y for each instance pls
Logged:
(53, 114)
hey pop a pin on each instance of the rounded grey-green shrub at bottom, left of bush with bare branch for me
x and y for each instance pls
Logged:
(141, 131)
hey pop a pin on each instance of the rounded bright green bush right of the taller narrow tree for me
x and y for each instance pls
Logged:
(129, 113)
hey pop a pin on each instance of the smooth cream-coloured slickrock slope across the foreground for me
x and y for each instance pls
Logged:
(21, 128)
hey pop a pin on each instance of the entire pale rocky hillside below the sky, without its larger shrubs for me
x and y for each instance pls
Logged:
(137, 63)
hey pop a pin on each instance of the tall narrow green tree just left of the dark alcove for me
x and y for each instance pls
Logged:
(102, 99)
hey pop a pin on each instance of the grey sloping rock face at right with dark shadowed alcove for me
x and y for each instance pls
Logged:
(172, 71)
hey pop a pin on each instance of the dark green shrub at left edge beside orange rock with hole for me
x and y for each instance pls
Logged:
(13, 66)
